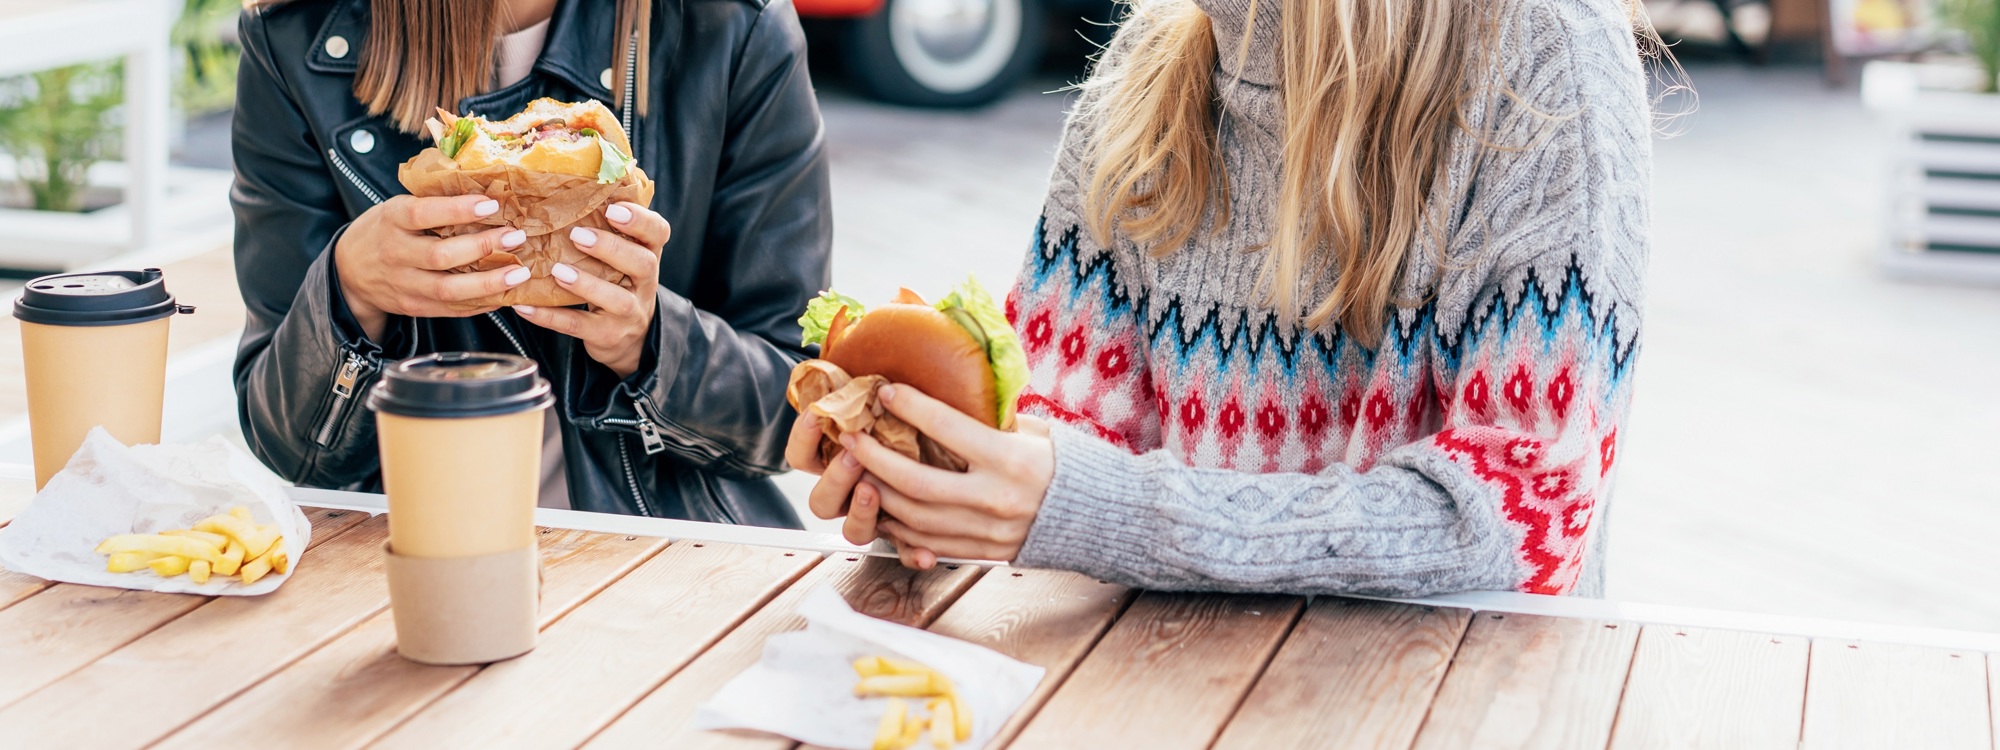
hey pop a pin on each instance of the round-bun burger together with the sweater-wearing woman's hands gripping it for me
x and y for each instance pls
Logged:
(911, 415)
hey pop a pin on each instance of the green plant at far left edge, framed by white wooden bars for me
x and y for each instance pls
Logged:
(55, 125)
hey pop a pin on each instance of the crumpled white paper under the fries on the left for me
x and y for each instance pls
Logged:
(111, 489)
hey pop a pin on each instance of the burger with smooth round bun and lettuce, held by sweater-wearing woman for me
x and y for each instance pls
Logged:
(959, 351)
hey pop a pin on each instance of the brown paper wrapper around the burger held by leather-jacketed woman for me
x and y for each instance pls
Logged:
(537, 203)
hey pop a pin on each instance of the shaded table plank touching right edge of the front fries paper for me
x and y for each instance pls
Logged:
(1049, 619)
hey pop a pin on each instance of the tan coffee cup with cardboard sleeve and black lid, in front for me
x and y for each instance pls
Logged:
(461, 439)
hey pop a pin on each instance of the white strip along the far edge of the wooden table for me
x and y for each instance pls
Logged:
(1513, 603)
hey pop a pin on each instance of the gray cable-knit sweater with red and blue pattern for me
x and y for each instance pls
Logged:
(1207, 445)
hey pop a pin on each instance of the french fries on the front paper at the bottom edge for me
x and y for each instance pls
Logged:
(943, 715)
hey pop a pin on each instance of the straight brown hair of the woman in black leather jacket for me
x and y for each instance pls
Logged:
(425, 55)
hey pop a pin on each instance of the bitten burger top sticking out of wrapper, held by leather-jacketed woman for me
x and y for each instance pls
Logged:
(549, 137)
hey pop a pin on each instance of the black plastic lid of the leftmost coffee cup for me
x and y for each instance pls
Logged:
(97, 299)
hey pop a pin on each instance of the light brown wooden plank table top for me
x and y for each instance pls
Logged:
(639, 631)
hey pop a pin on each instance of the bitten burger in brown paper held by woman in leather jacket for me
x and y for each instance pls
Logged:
(551, 167)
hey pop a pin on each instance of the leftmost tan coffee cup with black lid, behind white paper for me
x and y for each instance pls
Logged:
(95, 355)
